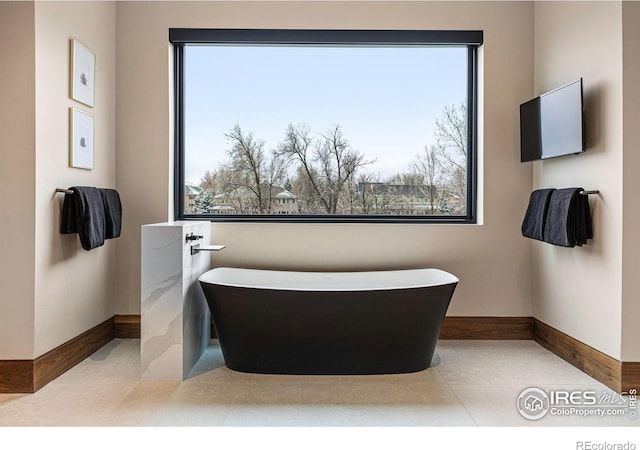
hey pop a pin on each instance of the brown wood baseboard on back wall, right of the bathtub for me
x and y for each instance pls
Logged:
(487, 328)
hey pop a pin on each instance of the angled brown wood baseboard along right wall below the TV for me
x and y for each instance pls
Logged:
(594, 363)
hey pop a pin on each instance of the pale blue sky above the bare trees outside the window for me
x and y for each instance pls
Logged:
(386, 100)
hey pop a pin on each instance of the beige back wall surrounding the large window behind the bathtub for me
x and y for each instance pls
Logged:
(491, 259)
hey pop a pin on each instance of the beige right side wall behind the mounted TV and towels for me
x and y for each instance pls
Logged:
(578, 291)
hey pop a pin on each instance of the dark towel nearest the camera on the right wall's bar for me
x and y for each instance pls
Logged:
(568, 219)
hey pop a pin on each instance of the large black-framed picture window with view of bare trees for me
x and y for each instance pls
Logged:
(319, 125)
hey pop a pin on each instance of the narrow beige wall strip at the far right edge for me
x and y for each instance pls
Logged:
(631, 183)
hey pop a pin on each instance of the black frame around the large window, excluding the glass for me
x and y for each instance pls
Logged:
(472, 39)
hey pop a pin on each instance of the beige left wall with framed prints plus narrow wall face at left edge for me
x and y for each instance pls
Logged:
(53, 290)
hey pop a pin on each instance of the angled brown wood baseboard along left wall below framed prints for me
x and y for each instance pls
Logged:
(57, 361)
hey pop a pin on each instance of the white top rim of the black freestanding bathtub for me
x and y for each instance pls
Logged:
(328, 281)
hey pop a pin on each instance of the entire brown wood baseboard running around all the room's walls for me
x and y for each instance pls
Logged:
(27, 376)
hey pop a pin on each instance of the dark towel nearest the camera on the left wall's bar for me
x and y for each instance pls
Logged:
(83, 213)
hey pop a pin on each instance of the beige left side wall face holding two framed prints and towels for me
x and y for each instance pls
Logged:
(74, 288)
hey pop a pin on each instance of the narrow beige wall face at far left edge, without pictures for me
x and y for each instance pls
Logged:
(17, 179)
